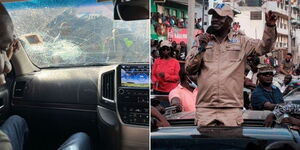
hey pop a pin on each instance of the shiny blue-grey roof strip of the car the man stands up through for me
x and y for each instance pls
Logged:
(225, 132)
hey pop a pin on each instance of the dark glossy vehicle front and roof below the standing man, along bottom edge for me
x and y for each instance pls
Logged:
(192, 137)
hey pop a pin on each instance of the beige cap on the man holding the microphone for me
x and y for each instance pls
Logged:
(222, 10)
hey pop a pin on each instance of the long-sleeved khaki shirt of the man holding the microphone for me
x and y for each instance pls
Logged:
(221, 67)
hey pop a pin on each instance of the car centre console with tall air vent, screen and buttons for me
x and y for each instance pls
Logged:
(123, 106)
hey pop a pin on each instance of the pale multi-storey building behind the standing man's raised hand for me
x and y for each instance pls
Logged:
(252, 21)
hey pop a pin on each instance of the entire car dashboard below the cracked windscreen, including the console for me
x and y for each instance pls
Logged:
(113, 98)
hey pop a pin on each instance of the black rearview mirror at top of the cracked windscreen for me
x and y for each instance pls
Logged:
(131, 10)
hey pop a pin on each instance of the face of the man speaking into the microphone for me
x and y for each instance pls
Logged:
(220, 22)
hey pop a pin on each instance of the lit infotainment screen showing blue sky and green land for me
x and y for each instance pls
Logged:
(135, 76)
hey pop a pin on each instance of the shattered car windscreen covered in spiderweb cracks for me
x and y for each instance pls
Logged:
(59, 33)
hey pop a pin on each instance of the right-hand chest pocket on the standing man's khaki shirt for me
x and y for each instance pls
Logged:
(233, 52)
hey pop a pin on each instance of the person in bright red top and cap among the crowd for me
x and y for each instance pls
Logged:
(165, 71)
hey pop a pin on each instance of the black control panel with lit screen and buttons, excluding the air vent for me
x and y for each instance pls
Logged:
(133, 94)
